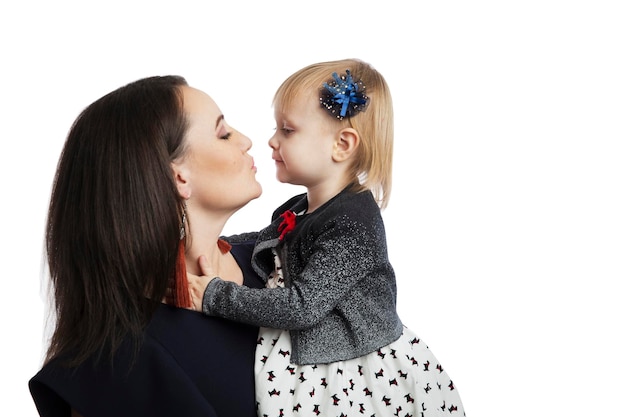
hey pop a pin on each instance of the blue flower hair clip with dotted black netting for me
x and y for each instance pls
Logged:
(342, 96)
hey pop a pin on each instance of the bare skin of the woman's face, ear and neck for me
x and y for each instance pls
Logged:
(216, 177)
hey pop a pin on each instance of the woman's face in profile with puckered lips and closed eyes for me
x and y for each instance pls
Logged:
(219, 172)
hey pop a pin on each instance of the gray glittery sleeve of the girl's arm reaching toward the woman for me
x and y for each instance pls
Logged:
(344, 252)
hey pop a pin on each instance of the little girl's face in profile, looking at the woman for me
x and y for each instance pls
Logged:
(302, 146)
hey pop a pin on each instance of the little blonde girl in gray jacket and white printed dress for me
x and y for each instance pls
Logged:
(332, 343)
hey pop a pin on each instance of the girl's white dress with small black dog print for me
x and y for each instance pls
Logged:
(401, 379)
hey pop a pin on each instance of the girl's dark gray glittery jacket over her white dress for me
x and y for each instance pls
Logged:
(339, 299)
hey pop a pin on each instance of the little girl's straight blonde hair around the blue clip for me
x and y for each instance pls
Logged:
(373, 163)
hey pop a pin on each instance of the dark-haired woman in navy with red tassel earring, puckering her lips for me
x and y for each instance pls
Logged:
(148, 176)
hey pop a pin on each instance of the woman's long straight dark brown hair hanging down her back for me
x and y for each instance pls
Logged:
(114, 219)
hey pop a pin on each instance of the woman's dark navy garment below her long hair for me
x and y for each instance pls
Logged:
(189, 365)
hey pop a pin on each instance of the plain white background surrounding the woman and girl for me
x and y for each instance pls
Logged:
(506, 225)
